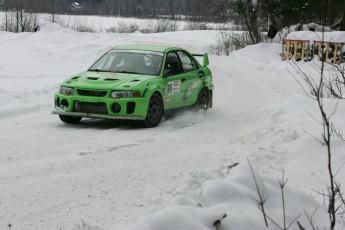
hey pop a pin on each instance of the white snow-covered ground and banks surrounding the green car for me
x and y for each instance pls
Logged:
(175, 176)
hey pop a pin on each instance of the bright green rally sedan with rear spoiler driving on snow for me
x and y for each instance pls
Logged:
(136, 82)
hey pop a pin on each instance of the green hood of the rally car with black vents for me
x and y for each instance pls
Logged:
(106, 80)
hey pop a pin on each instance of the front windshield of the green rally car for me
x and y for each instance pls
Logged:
(128, 61)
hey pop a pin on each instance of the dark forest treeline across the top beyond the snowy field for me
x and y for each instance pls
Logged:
(281, 12)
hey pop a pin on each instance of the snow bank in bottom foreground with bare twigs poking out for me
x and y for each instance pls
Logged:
(229, 199)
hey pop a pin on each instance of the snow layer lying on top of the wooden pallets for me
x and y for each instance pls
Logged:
(335, 36)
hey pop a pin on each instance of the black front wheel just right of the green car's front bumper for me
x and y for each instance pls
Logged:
(154, 112)
